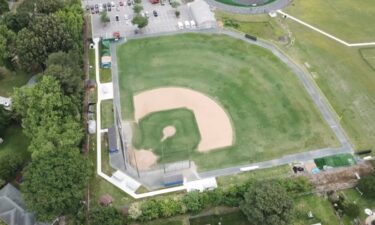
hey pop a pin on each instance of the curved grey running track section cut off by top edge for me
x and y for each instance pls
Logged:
(273, 6)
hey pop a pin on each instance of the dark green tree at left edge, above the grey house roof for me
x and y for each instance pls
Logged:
(10, 163)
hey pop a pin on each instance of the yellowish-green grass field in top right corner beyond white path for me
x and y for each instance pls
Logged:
(349, 20)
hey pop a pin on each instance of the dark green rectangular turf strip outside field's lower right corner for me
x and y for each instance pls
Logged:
(335, 161)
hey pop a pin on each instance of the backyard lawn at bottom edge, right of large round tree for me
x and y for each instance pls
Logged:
(320, 207)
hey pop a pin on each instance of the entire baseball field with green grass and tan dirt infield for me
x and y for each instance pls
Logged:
(256, 107)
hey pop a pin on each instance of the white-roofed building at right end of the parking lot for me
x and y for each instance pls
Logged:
(202, 14)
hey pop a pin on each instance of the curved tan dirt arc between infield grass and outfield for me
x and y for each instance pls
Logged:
(213, 122)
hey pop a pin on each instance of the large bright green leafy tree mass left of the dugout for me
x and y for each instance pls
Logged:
(49, 118)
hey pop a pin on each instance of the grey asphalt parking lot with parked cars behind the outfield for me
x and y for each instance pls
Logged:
(165, 21)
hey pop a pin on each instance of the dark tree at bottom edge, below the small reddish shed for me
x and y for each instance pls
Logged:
(106, 216)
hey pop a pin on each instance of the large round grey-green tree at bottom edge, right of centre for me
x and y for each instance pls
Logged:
(267, 203)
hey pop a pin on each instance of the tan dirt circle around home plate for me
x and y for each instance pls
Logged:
(146, 159)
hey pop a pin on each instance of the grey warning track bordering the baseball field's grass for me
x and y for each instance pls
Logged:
(305, 78)
